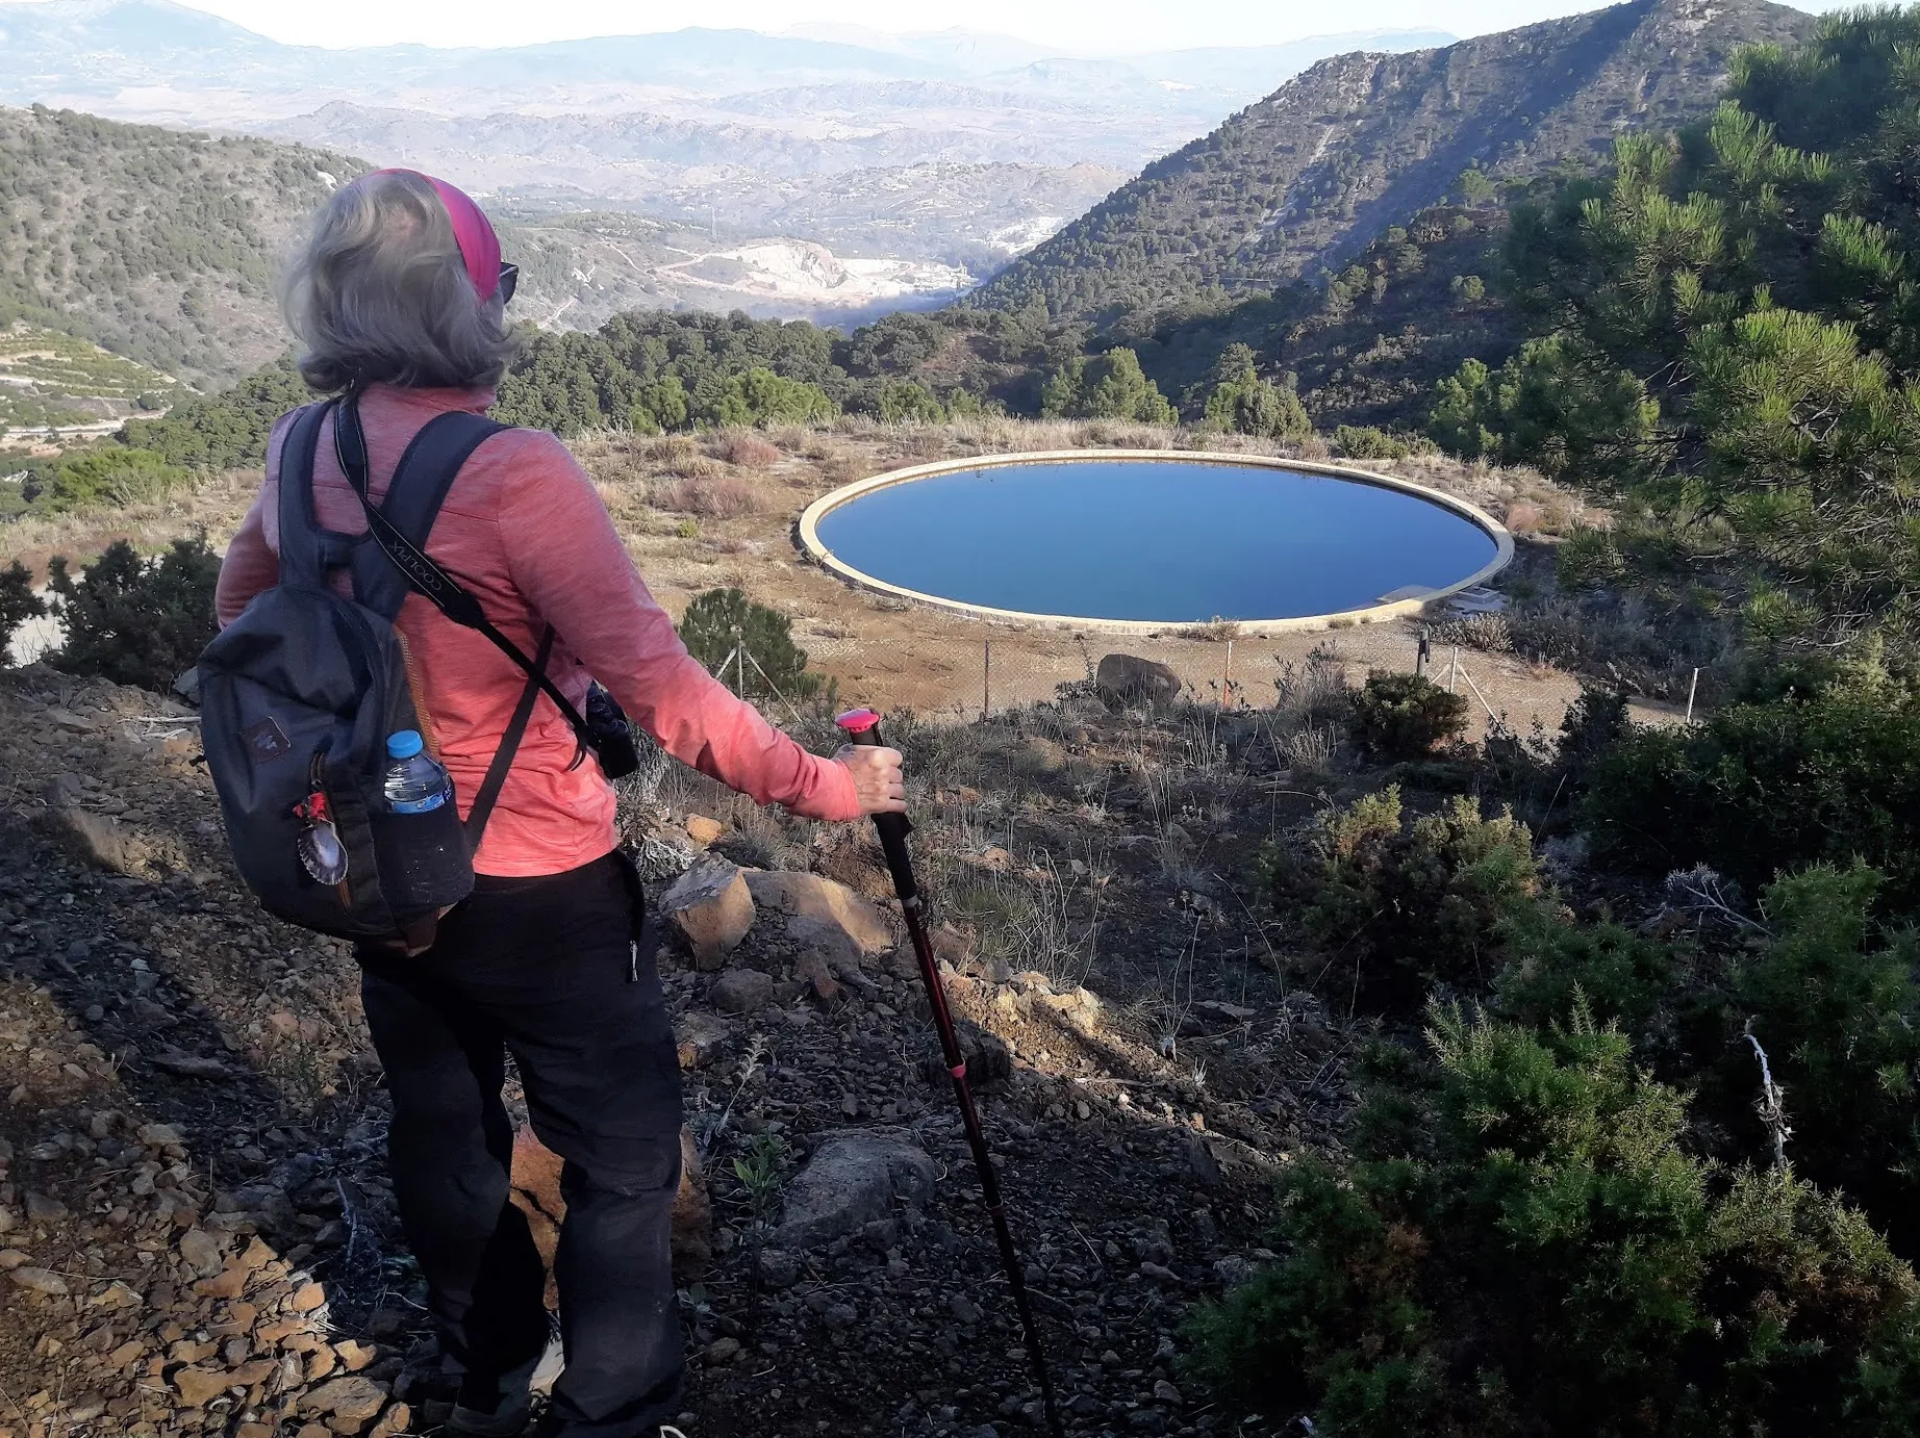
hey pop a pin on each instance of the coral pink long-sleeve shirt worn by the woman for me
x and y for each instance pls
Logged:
(525, 533)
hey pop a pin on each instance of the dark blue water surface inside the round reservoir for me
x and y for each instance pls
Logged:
(1155, 540)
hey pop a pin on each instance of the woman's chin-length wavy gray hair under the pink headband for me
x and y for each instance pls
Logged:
(381, 295)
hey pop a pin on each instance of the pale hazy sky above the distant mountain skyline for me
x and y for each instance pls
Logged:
(1070, 26)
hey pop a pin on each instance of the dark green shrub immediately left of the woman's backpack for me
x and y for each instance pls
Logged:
(137, 621)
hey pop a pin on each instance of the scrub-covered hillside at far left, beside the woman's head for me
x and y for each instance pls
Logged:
(158, 245)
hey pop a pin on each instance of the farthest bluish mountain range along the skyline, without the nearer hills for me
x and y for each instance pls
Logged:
(151, 57)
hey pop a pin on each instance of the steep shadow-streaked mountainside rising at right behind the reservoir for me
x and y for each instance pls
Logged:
(1360, 143)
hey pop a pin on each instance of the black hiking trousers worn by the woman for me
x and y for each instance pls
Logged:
(540, 969)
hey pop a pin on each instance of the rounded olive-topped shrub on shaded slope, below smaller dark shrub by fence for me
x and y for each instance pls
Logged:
(1414, 903)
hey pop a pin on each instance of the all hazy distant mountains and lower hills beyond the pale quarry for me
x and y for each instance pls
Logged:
(830, 135)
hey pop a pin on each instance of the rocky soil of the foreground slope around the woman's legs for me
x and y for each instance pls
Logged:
(195, 1216)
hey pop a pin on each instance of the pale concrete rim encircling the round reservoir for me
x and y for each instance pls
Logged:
(809, 539)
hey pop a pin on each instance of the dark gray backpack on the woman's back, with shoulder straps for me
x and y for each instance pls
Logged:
(300, 694)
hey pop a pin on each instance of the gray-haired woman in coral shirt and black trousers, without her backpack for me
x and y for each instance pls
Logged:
(400, 299)
